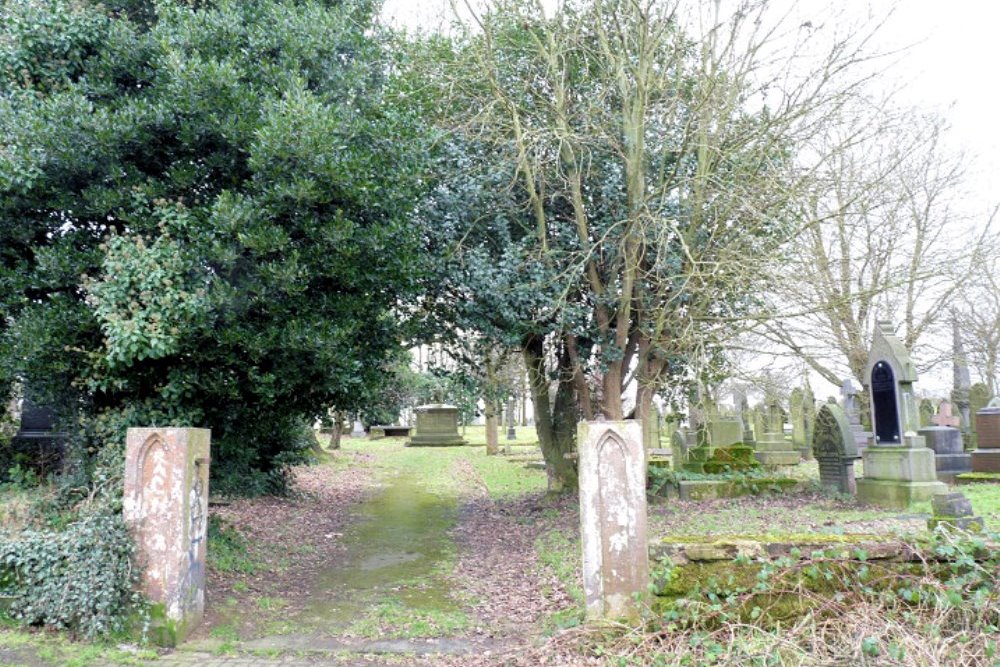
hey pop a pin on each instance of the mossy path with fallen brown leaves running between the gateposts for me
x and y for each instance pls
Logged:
(378, 563)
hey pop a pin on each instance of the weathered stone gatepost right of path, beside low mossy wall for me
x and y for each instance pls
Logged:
(612, 478)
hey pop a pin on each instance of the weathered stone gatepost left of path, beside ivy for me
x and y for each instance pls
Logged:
(166, 509)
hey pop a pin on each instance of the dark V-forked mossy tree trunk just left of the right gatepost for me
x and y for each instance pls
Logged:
(554, 423)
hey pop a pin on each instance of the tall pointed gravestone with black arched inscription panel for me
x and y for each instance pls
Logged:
(900, 468)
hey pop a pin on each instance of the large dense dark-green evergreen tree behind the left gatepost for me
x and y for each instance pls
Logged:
(203, 214)
